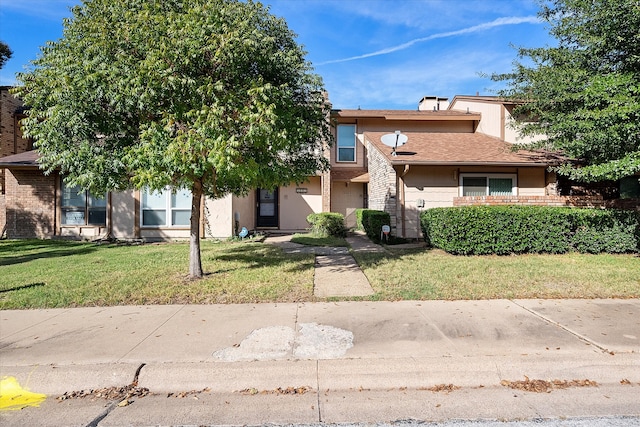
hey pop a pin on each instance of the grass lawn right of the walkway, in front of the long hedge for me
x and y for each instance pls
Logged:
(434, 274)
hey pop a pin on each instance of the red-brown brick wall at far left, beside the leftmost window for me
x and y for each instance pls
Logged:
(30, 204)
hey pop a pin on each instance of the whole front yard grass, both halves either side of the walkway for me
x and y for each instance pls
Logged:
(43, 274)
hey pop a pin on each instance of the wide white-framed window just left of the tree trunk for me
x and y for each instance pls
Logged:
(166, 208)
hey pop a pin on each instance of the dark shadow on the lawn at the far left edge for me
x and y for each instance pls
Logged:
(21, 251)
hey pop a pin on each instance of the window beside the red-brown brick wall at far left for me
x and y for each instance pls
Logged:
(80, 207)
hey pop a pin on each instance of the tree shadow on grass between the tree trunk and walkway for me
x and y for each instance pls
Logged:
(257, 256)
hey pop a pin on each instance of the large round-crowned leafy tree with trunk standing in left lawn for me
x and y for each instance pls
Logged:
(210, 95)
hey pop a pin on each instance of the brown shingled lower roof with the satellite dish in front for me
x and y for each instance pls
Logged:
(432, 148)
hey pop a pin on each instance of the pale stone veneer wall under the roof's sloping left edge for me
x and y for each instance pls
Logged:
(382, 185)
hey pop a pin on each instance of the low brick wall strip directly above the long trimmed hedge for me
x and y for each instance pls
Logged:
(573, 201)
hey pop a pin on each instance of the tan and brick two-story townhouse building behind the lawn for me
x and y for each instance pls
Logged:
(455, 154)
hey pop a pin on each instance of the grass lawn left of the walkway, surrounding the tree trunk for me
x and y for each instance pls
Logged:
(39, 273)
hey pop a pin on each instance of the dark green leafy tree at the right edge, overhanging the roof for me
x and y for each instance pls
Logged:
(584, 93)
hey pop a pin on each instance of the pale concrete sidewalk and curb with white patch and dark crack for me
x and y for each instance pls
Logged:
(348, 361)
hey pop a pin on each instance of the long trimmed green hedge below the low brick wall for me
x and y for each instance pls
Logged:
(502, 230)
